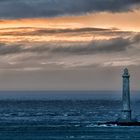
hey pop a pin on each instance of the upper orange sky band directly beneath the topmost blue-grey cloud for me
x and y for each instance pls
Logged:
(129, 21)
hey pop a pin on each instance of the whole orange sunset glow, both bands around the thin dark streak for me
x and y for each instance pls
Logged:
(129, 21)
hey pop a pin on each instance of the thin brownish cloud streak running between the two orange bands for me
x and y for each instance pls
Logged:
(79, 31)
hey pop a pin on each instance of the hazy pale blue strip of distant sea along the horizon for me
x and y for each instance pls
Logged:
(66, 95)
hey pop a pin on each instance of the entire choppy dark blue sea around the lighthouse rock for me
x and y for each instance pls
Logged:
(65, 115)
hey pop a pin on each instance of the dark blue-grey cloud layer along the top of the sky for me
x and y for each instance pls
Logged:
(51, 8)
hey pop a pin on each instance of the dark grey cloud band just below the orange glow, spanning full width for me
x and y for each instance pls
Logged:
(96, 46)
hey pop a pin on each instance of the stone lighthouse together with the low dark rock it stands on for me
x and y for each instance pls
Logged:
(126, 118)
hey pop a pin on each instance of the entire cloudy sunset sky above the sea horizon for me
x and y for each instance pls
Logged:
(69, 44)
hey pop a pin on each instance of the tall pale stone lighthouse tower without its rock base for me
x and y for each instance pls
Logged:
(126, 112)
